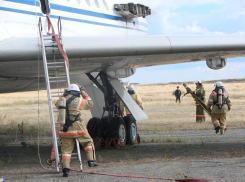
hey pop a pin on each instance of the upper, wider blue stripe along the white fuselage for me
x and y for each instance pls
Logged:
(76, 10)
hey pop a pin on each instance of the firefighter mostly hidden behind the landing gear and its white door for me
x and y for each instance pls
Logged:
(136, 98)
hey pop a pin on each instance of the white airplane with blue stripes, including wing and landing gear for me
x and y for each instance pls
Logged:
(105, 40)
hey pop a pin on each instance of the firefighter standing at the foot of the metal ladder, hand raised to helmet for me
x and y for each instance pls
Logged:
(75, 128)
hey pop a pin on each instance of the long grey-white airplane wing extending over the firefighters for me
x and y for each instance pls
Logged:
(118, 55)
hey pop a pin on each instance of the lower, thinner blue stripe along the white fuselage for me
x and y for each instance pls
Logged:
(70, 19)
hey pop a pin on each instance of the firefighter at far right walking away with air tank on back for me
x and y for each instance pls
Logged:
(220, 101)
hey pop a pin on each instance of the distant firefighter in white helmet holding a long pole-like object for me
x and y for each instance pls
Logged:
(200, 92)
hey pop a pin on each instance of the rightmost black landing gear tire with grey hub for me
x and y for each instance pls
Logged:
(131, 130)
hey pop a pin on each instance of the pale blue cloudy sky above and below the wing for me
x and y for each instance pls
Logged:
(193, 17)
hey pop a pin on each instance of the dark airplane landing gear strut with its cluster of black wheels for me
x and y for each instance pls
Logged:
(110, 125)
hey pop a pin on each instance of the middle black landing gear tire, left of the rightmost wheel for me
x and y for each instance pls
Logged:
(117, 129)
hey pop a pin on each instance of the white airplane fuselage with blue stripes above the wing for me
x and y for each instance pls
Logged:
(20, 18)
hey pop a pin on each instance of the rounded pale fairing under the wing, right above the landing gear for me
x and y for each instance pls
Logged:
(121, 73)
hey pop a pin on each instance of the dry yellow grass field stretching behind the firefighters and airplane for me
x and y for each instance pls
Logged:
(22, 113)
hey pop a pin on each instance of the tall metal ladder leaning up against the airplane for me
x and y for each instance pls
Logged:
(56, 75)
